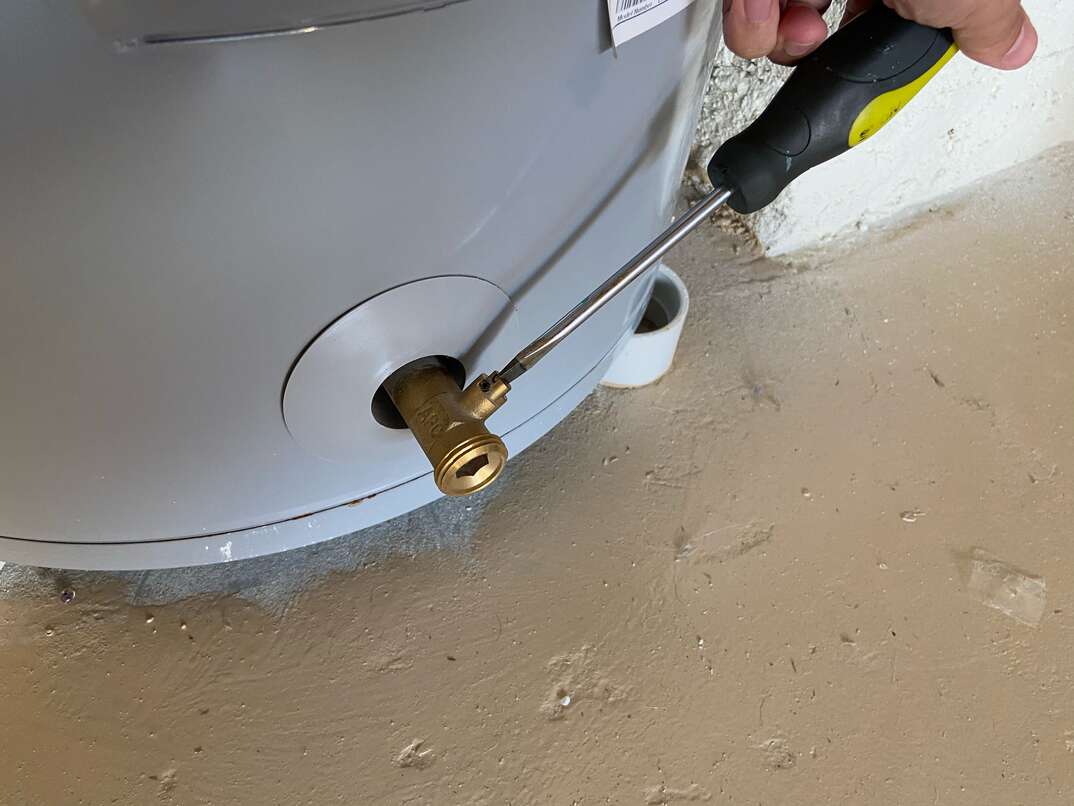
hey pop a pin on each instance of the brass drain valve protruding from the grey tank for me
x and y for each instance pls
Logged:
(448, 423)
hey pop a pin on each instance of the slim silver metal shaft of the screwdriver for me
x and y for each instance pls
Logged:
(607, 292)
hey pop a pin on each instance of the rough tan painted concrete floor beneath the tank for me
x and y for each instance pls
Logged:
(826, 560)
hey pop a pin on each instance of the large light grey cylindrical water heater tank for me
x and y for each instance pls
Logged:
(225, 225)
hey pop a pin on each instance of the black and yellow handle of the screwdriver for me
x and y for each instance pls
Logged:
(838, 97)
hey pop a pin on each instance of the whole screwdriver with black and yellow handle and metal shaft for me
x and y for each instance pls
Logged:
(838, 97)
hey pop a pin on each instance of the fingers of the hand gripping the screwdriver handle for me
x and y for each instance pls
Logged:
(995, 33)
